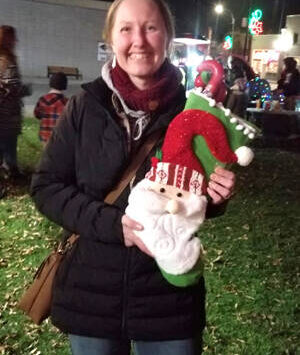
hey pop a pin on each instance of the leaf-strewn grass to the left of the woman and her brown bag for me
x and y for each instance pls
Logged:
(26, 238)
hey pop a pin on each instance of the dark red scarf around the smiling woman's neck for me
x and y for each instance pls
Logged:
(155, 98)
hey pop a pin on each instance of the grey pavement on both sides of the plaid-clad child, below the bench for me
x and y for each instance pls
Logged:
(40, 86)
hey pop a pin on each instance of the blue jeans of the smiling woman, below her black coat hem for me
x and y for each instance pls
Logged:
(81, 345)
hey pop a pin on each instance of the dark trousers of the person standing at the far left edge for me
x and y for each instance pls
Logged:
(8, 151)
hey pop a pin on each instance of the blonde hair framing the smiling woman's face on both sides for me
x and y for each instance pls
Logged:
(163, 9)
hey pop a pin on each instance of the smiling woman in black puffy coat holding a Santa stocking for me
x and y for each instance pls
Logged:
(110, 291)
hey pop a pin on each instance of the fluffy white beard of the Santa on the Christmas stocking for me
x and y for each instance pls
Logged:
(169, 237)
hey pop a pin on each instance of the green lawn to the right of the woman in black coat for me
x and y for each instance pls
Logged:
(253, 262)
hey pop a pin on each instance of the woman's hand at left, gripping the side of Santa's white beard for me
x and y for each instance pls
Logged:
(130, 238)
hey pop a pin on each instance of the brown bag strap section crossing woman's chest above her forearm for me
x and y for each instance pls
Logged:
(133, 167)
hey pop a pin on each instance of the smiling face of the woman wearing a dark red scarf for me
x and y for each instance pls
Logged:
(139, 40)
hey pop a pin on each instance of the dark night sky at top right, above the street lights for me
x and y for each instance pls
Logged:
(195, 16)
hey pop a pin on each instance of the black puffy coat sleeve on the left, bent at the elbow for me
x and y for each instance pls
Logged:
(58, 197)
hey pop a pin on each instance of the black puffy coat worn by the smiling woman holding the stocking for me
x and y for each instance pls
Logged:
(104, 289)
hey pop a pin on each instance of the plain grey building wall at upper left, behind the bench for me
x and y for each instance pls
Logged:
(58, 33)
